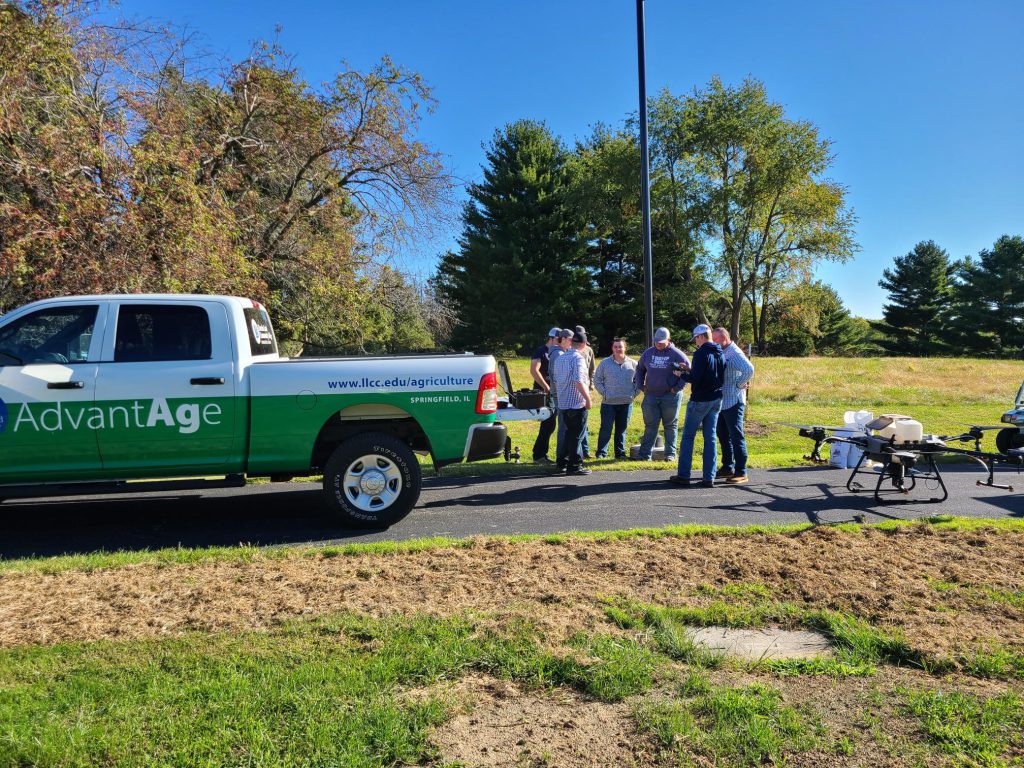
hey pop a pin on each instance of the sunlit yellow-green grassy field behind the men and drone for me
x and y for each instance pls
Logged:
(946, 395)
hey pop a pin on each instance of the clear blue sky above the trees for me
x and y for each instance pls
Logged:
(924, 102)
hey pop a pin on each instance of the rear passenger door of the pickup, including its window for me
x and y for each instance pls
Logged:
(167, 388)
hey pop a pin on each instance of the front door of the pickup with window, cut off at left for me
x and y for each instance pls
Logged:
(48, 386)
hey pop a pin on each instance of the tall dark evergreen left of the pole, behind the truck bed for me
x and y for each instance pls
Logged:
(521, 266)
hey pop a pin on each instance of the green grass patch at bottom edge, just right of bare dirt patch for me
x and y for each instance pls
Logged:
(728, 727)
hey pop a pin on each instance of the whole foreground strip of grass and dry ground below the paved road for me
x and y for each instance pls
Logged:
(403, 656)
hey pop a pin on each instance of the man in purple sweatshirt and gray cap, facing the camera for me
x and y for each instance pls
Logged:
(658, 378)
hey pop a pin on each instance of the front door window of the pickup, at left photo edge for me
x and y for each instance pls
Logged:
(54, 335)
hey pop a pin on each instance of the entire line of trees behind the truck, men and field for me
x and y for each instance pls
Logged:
(129, 163)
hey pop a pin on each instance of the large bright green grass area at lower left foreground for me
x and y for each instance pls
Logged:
(315, 693)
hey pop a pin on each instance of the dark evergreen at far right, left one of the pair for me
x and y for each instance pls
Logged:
(920, 291)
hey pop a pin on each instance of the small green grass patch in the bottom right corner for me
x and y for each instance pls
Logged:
(974, 731)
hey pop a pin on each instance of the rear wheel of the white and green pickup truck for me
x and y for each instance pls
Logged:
(372, 480)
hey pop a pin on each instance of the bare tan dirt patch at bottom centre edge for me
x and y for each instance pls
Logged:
(502, 726)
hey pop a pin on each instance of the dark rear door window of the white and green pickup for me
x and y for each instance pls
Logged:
(162, 332)
